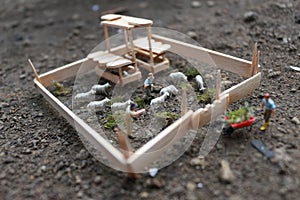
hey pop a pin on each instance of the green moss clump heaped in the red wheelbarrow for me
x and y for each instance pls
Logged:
(242, 114)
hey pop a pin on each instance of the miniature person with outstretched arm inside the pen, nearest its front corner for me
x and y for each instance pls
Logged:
(131, 110)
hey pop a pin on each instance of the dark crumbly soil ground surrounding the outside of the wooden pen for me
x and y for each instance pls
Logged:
(42, 156)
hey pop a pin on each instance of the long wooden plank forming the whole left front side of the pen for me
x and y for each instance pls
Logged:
(114, 155)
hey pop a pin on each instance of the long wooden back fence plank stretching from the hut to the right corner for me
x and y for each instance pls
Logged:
(222, 61)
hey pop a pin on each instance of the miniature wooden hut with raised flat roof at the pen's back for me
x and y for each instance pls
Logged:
(145, 52)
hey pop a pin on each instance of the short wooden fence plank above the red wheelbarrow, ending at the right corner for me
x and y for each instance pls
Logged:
(243, 89)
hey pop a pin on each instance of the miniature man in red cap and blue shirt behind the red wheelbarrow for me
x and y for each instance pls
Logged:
(269, 106)
